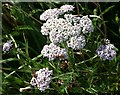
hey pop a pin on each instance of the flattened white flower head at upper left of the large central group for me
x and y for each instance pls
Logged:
(49, 14)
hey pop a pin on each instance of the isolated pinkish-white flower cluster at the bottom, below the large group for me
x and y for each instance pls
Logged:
(42, 79)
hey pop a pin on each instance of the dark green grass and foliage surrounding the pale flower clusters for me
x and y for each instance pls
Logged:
(91, 75)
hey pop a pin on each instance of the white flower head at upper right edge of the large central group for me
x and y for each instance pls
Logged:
(86, 24)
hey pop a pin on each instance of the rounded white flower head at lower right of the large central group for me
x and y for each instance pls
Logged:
(76, 42)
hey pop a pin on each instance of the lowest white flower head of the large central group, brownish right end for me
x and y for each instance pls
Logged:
(53, 51)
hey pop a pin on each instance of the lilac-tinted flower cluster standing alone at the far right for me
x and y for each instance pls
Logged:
(106, 51)
